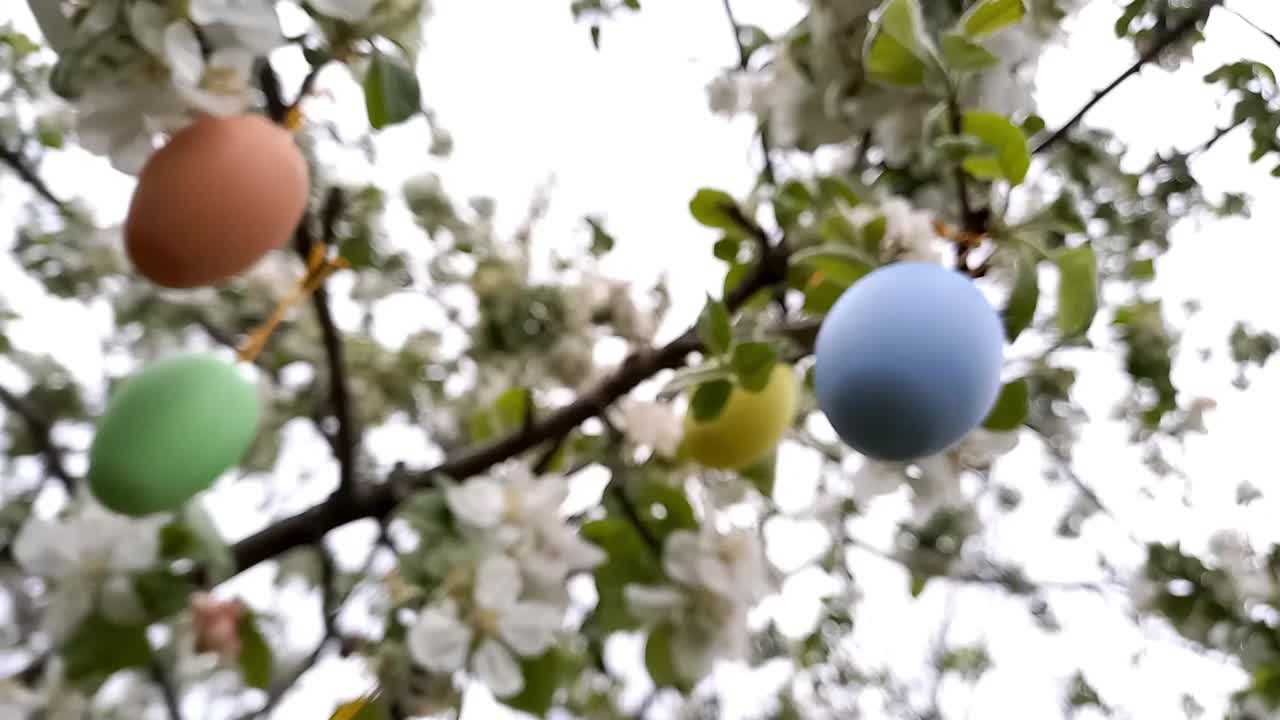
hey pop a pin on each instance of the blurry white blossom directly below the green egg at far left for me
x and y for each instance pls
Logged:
(89, 558)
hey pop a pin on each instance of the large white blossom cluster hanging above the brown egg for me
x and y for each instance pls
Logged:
(136, 71)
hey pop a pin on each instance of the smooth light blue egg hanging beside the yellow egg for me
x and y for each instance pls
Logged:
(908, 361)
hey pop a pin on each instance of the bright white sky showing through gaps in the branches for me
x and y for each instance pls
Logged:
(627, 134)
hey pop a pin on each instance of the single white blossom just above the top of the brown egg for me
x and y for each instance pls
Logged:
(220, 85)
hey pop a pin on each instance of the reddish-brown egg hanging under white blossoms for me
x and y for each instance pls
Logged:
(220, 197)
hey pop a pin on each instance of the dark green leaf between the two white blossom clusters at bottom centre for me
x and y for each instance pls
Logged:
(629, 559)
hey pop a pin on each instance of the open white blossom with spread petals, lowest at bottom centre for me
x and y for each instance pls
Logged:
(491, 635)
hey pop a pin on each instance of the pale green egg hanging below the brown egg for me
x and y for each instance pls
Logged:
(170, 432)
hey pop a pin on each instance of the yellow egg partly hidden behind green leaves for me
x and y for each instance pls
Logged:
(749, 427)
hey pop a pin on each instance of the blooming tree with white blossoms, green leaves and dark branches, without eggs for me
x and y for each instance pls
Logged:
(560, 513)
